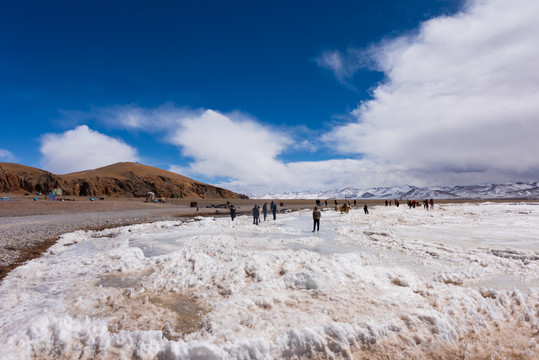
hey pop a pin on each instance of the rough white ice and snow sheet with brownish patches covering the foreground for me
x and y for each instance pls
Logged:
(459, 280)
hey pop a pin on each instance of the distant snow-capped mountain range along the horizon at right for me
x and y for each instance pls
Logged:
(512, 190)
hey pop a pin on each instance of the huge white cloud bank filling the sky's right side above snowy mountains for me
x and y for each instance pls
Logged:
(461, 99)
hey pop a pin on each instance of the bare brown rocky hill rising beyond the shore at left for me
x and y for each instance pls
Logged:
(117, 180)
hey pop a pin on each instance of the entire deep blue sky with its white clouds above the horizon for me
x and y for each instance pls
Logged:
(275, 96)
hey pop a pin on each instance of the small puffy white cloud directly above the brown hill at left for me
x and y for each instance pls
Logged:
(82, 149)
